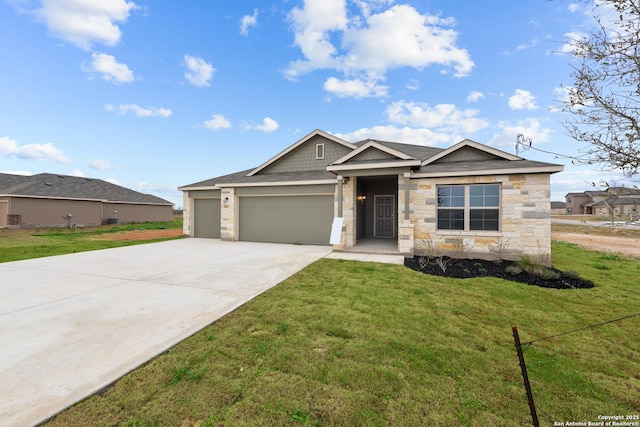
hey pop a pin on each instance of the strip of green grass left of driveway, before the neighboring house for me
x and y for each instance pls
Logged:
(16, 245)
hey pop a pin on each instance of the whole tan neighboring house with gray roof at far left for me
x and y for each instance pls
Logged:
(50, 200)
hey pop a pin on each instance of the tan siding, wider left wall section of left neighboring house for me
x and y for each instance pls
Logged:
(50, 212)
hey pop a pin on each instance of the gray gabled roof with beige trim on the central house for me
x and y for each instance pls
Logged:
(377, 157)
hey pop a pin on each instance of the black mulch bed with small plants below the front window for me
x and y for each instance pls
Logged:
(469, 268)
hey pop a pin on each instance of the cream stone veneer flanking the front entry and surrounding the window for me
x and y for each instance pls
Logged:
(525, 219)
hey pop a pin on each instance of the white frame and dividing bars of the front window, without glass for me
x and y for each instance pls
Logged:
(466, 208)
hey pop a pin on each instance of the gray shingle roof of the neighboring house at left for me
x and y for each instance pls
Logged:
(72, 187)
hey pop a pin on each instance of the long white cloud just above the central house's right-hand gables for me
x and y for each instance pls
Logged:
(444, 117)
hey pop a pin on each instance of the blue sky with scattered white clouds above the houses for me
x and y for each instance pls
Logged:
(157, 95)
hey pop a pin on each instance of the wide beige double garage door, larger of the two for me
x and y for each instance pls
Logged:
(286, 219)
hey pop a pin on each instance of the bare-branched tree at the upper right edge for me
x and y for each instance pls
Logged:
(605, 97)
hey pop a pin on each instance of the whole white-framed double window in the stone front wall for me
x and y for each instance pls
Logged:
(469, 207)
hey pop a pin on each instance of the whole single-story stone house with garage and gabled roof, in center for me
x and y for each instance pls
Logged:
(468, 197)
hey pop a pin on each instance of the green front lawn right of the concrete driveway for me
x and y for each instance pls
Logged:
(344, 343)
